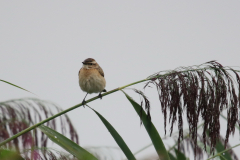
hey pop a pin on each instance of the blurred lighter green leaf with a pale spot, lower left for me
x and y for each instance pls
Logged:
(67, 144)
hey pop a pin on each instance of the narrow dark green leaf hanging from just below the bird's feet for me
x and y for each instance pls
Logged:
(117, 137)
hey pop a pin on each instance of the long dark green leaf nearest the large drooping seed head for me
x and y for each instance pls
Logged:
(152, 132)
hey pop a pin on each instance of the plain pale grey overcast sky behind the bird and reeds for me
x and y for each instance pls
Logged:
(42, 45)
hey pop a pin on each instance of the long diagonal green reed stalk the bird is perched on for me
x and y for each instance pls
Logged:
(107, 93)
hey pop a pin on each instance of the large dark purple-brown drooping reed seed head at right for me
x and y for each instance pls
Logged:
(203, 90)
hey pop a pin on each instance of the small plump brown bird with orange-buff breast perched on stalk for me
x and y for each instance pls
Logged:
(91, 78)
